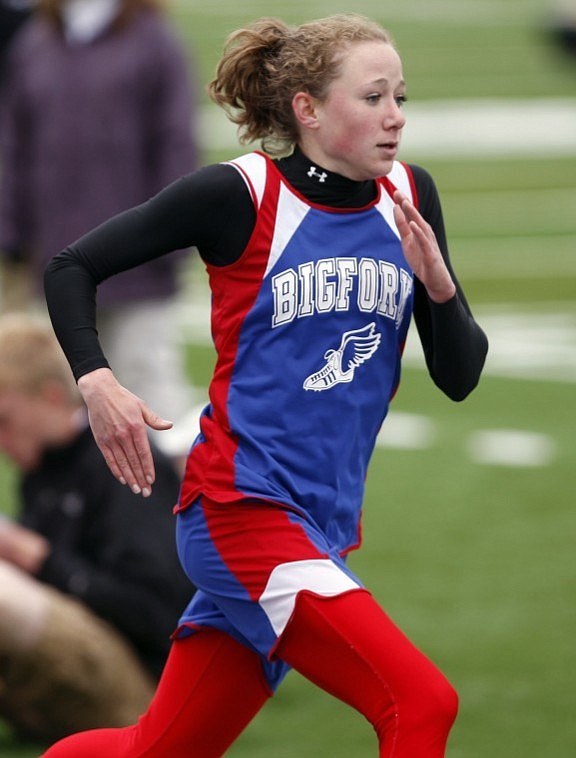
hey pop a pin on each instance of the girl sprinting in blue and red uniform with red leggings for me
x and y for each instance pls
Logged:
(318, 249)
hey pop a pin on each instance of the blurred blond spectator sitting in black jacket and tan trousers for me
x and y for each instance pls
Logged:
(90, 583)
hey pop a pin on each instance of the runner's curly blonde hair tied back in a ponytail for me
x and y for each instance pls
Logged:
(266, 63)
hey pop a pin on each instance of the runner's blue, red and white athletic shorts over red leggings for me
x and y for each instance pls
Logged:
(249, 560)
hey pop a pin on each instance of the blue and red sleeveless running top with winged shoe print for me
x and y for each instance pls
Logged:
(309, 327)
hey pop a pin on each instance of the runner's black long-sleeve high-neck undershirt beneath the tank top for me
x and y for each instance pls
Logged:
(213, 211)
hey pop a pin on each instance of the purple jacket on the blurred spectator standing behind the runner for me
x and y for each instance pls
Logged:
(88, 130)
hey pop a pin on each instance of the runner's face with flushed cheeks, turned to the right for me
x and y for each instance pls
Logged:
(360, 122)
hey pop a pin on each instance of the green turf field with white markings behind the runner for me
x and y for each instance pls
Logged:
(470, 548)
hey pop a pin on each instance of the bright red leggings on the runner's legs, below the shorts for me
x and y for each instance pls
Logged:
(212, 687)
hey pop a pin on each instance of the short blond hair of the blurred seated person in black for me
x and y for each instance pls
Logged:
(30, 356)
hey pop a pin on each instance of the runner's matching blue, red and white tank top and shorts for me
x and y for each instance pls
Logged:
(309, 334)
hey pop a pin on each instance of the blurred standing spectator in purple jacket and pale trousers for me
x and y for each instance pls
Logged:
(97, 116)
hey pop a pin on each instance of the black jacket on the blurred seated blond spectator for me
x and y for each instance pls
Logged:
(112, 550)
